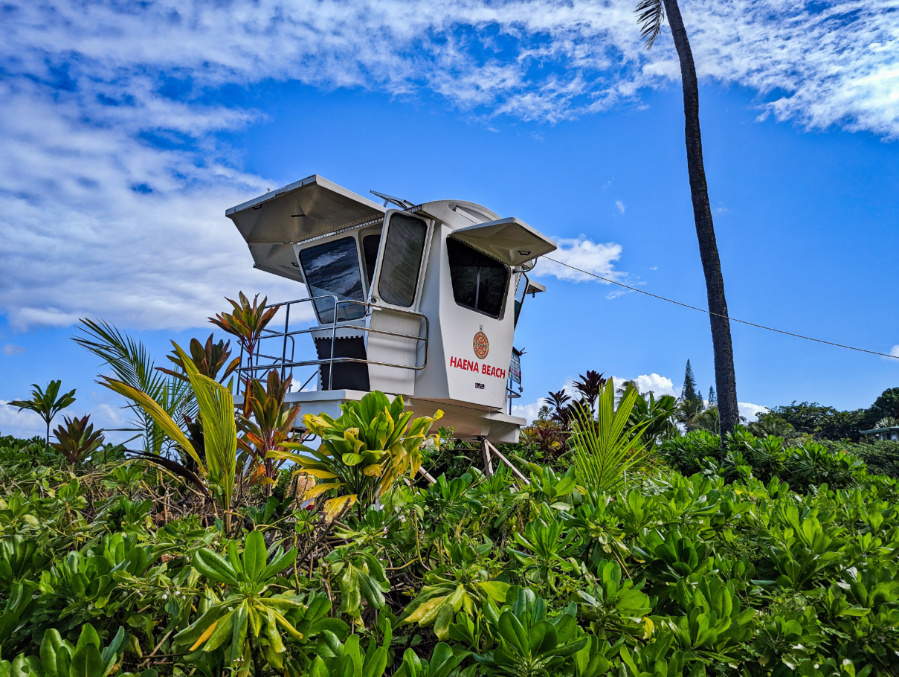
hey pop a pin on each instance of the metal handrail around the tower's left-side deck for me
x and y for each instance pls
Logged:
(284, 363)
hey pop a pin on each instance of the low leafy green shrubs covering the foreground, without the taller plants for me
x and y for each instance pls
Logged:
(104, 570)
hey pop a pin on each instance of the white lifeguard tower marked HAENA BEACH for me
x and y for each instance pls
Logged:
(414, 300)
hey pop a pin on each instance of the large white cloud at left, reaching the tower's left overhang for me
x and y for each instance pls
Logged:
(162, 259)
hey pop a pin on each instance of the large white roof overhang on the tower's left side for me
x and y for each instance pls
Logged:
(272, 223)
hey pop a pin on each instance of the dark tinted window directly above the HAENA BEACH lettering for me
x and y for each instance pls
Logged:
(479, 282)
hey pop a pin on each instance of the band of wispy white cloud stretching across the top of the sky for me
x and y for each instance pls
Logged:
(815, 63)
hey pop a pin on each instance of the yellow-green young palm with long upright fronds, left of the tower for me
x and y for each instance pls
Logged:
(217, 465)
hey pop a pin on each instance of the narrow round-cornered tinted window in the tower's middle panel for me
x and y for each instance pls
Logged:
(402, 260)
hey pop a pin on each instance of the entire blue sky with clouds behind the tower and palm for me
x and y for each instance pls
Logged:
(129, 129)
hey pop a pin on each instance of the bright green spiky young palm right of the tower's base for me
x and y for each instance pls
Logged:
(605, 449)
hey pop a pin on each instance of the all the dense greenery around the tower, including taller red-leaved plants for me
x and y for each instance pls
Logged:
(231, 543)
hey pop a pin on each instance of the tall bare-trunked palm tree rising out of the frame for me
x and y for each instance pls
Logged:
(651, 14)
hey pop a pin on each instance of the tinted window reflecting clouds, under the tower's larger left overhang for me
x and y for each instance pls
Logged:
(333, 268)
